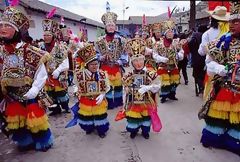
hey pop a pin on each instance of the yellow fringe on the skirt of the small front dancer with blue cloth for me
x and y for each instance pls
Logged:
(93, 110)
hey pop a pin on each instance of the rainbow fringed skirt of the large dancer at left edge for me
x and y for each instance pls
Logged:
(28, 123)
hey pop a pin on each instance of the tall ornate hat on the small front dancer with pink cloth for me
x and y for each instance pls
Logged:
(136, 48)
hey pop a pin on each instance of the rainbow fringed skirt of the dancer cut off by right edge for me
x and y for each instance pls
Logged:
(223, 122)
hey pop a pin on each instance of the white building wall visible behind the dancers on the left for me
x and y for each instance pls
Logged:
(37, 32)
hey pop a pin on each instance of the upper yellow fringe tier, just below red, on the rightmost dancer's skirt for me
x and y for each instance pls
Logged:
(225, 106)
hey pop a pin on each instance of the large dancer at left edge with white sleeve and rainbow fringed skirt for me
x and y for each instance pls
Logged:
(23, 76)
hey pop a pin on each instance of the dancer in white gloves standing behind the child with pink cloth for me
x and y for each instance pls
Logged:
(167, 53)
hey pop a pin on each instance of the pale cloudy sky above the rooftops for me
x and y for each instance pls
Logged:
(94, 9)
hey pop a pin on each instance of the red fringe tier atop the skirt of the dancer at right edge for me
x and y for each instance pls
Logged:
(227, 95)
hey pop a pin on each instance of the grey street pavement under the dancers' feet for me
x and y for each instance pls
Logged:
(178, 140)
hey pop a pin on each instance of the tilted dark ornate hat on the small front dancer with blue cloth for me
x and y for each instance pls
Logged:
(87, 53)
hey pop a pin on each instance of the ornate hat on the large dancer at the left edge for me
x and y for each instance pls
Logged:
(16, 19)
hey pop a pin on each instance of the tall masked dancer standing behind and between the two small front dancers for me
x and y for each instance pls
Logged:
(110, 53)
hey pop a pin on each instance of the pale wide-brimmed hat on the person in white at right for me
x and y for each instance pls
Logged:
(220, 13)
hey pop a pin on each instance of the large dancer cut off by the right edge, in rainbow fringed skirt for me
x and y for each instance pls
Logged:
(222, 109)
